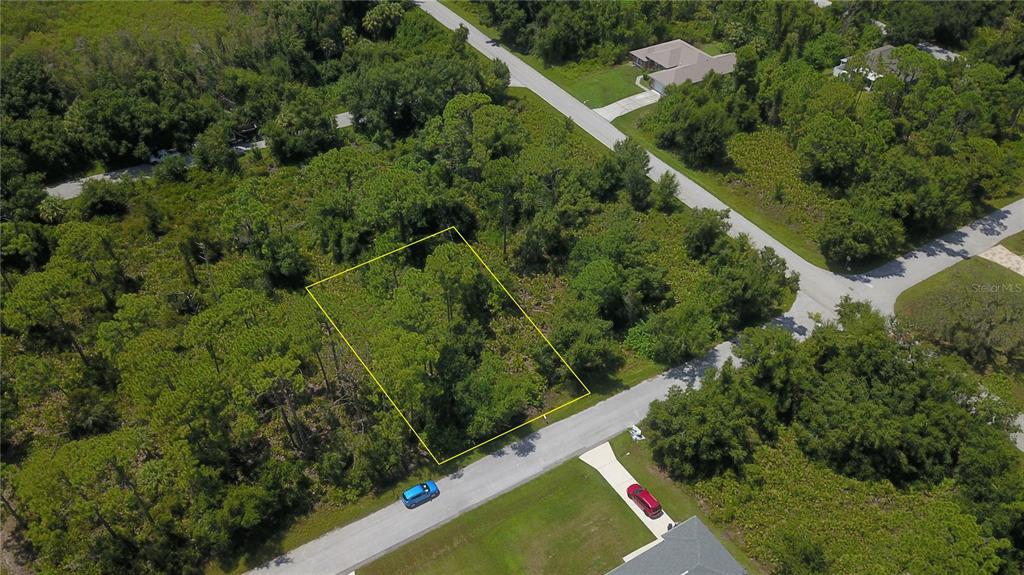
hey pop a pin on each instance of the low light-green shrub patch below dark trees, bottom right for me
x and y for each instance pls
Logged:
(805, 518)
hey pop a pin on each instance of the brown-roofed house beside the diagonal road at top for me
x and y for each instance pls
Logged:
(676, 62)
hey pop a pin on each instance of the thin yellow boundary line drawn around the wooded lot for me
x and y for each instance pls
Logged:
(389, 396)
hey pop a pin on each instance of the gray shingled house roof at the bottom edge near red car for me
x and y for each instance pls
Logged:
(689, 549)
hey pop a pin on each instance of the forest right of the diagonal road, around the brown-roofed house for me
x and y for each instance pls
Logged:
(929, 147)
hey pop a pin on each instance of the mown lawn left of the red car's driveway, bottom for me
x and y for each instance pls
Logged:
(567, 521)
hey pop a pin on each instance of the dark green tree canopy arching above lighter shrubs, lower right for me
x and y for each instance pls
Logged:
(857, 396)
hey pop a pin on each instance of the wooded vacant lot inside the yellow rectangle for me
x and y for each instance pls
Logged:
(444, 340)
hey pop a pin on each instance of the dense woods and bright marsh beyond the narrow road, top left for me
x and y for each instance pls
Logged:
(180, 70)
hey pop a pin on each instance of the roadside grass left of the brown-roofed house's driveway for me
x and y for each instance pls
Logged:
(594, 84)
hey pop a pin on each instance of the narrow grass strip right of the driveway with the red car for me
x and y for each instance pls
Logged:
(677, 499)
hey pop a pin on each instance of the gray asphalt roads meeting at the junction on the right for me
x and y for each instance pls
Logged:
(342, 551)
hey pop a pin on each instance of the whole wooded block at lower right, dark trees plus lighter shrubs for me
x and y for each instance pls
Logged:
(855, 418)
